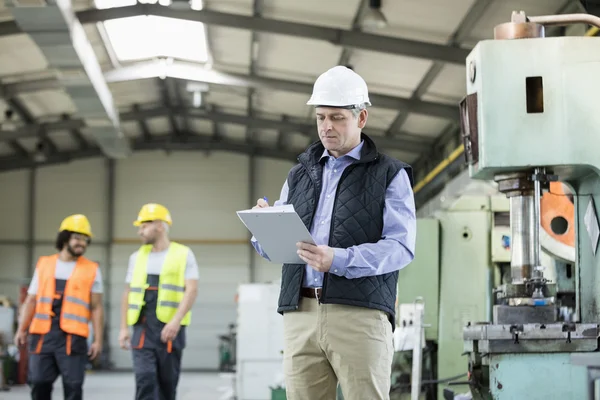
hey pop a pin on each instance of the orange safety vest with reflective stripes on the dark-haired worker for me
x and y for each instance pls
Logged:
(75, 311)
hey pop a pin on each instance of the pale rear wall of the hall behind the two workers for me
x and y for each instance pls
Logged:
(202, 193)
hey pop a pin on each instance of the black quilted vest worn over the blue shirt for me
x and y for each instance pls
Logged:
(357, 219)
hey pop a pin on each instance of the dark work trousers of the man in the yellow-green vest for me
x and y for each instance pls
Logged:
(156, 373)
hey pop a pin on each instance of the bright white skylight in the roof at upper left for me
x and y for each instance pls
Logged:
(145, 37)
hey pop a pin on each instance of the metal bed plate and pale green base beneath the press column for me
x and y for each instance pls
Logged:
(529, 361)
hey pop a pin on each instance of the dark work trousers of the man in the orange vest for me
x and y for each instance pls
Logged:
(44, 369)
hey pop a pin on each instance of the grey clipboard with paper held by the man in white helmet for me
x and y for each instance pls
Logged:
(277, 230)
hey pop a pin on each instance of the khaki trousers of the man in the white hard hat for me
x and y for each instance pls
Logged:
(330, 342)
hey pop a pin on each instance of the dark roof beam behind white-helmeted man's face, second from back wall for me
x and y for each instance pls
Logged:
(413, 143)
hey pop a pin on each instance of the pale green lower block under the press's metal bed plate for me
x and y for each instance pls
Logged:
(533, 377)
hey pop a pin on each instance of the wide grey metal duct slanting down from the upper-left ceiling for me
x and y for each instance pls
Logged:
(61, 38)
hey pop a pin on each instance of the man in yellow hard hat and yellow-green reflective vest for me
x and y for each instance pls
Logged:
(162, 284)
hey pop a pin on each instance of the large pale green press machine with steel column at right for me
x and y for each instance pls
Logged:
(530, 118)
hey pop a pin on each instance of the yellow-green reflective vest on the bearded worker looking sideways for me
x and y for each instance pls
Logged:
(171, 284)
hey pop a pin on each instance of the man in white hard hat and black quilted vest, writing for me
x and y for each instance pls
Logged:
(339, 307)
